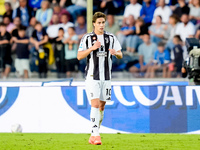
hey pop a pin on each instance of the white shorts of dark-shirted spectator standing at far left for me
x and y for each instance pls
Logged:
(21, 65)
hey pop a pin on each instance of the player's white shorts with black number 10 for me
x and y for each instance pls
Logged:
(98, 89)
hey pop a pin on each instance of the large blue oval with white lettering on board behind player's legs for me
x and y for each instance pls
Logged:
(144, 109)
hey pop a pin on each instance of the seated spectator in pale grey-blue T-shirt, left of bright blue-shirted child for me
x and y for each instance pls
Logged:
(146, 54)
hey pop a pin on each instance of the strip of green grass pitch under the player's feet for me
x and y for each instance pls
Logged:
(29, 141)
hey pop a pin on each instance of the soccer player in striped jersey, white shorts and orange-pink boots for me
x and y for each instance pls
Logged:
(98, 46)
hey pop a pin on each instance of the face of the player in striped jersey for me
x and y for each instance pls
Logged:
(99, 25)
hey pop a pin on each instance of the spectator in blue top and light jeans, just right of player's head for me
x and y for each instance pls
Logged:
(125, 34)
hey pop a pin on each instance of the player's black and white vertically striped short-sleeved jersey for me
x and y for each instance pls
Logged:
(99, 62)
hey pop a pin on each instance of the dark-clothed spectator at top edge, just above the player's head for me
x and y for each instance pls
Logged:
(108, 7)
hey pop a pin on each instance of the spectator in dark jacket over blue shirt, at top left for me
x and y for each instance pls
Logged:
(23, 12)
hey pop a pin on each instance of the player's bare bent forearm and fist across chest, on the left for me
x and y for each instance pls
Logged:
(84, 53)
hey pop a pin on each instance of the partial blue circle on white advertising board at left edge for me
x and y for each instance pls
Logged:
(8, 96)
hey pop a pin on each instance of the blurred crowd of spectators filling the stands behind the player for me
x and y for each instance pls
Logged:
(38, 34)
